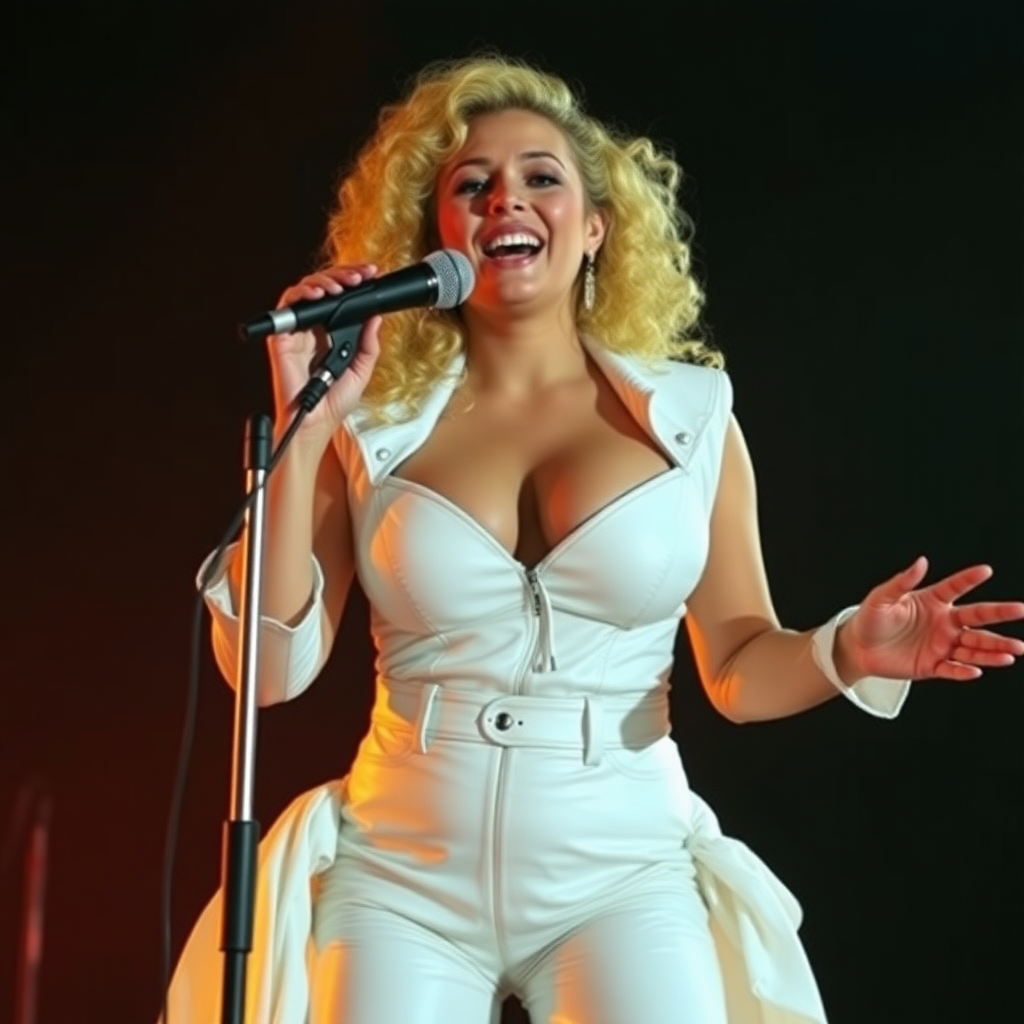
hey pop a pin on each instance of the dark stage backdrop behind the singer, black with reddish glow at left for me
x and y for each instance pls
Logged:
(855, 173)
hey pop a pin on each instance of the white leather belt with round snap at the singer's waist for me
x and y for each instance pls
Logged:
(586, 723)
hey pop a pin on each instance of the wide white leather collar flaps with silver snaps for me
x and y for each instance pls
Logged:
(673, 402)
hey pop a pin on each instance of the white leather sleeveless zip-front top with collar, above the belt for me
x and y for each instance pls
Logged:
(600, 614)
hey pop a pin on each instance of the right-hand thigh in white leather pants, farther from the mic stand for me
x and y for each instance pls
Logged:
(652, 960)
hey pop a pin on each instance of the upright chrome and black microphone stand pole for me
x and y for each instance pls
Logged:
(241, 838)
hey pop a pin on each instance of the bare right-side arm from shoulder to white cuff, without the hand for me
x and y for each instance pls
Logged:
(751, 667)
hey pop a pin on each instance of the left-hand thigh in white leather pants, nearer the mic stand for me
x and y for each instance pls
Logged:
(385, 968)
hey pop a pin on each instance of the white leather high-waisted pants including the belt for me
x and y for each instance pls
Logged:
(525, 845)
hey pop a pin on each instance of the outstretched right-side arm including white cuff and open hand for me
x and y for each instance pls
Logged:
(754, 670)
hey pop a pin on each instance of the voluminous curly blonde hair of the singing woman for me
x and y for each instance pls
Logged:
(648, 303)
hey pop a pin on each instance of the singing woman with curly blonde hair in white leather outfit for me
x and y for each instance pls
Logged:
(534, 490)
